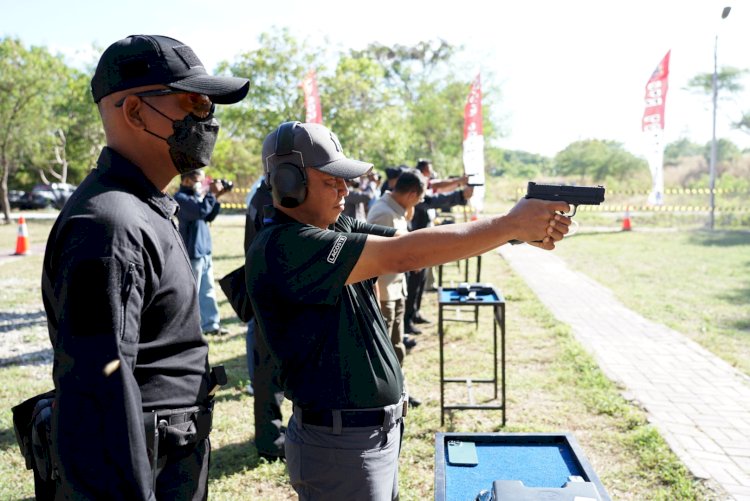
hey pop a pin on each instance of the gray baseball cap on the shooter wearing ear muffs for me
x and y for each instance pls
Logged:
(309, 145)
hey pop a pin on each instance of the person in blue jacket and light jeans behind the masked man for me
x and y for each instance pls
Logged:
(197, 209)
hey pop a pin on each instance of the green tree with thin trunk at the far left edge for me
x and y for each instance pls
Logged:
(29, 80)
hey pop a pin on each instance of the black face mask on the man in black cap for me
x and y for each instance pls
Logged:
(192, 142)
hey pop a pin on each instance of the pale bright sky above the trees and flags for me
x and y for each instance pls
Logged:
(567, 70)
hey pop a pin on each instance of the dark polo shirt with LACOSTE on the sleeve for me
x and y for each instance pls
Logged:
(330, 339)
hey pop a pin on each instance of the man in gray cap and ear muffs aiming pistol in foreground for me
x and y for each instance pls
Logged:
(310, 276)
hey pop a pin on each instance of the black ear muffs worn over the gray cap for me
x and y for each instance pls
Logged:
(288, 181)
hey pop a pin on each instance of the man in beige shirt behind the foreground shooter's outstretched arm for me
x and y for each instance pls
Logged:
(394, 209)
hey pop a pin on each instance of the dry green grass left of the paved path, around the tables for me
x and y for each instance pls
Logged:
(553, 385)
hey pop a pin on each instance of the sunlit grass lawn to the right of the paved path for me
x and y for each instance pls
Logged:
(696, 282)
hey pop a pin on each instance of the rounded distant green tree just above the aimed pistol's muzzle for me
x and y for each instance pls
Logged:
(597, 159)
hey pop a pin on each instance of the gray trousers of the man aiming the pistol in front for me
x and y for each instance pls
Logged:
(357, 464)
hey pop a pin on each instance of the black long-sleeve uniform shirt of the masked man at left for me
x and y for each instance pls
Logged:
(124, 324)
